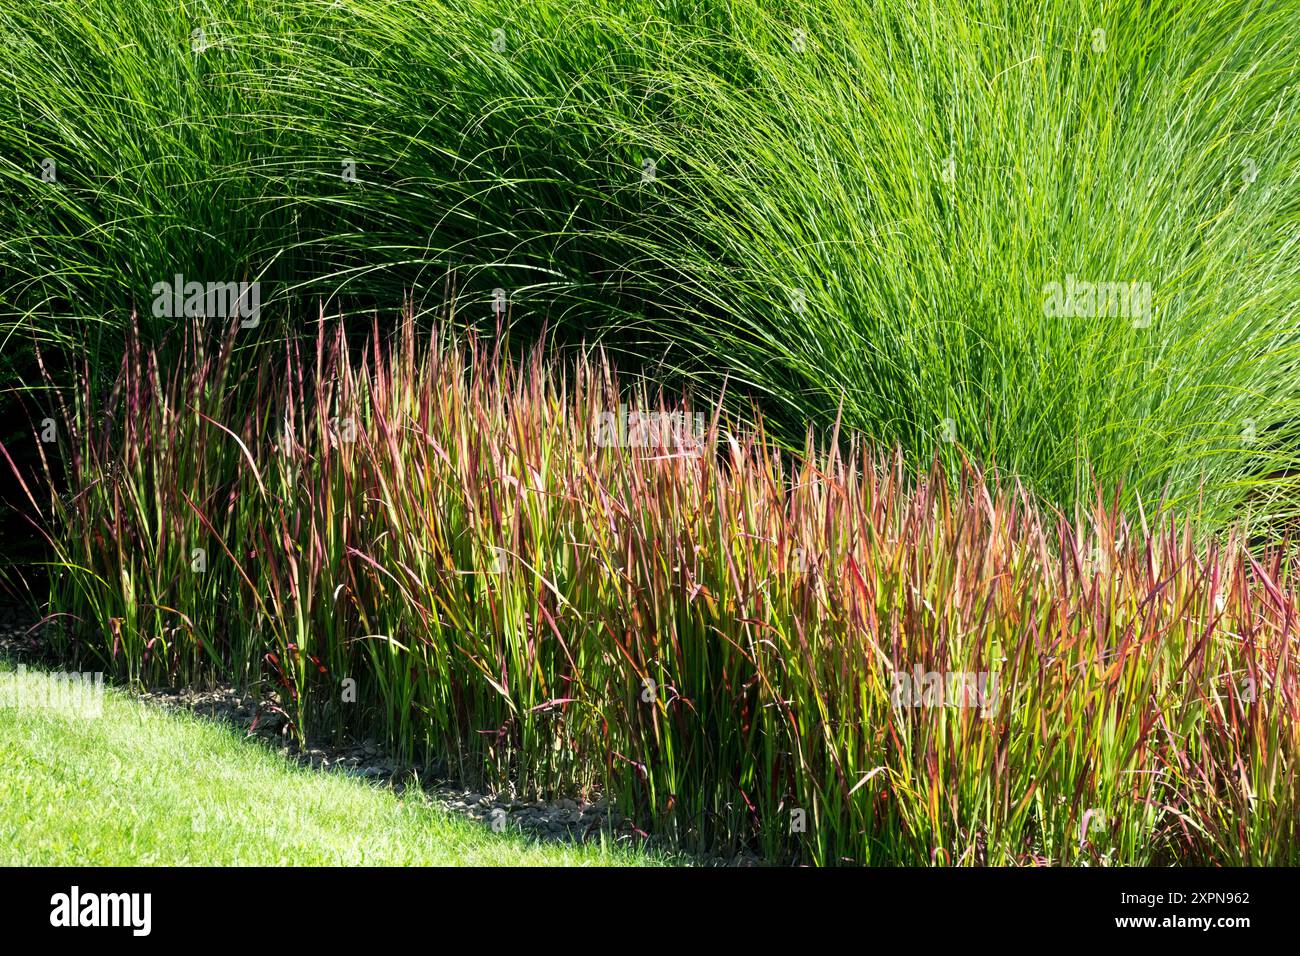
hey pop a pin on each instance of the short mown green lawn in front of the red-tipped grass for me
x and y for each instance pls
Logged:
(140, 786)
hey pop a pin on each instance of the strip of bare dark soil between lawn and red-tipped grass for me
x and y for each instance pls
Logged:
(263, 720)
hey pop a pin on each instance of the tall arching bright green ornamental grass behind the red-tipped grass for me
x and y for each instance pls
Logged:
(1059, 237)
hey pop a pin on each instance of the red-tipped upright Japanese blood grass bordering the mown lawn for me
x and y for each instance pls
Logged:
(712, 639)
